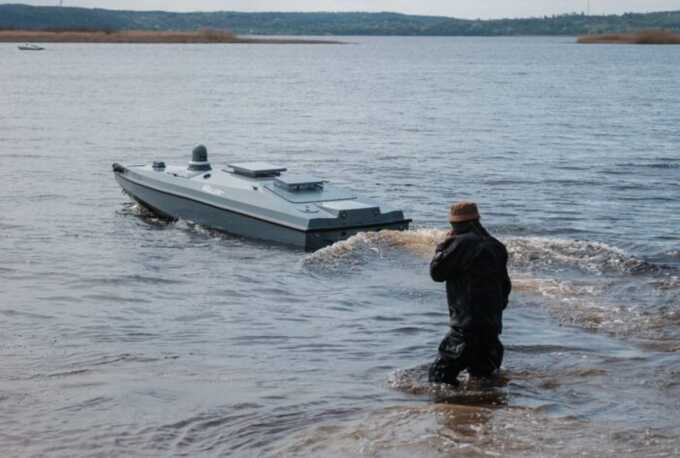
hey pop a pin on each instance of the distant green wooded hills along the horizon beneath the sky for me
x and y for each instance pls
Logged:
(23, 17)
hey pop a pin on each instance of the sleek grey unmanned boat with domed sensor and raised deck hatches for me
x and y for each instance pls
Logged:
(255, 199)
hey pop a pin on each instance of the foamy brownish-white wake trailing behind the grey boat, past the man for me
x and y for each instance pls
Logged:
(595, 295)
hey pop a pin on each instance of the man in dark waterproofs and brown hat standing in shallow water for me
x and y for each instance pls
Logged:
(474, 266)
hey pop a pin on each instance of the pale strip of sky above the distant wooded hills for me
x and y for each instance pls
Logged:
(457, 8)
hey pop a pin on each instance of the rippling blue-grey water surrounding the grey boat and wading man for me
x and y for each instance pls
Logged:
(123, 335)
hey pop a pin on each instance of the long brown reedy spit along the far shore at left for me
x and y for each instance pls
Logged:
(203, 36)
